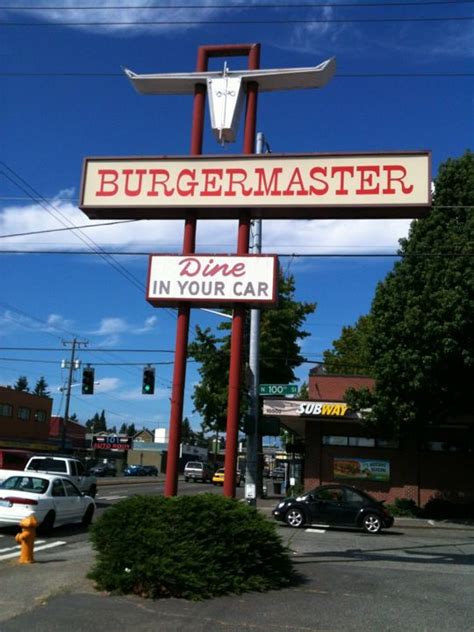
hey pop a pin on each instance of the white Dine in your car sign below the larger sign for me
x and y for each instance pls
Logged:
(212, 279)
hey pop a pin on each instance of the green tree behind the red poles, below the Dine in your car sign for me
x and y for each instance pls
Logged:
(280, 333)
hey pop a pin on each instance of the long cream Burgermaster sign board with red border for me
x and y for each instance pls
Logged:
(274, 186)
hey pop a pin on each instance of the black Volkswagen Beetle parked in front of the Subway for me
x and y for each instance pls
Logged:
(334, 505)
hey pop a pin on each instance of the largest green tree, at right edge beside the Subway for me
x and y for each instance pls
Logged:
(422, 340)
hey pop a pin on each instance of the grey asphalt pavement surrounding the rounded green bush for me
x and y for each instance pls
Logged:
(411, 578)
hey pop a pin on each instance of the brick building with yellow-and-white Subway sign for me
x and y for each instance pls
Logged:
(338, 448)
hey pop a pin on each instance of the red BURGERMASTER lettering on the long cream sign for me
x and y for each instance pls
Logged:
(312, 181)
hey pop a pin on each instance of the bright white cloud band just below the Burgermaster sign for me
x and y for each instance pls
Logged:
(286, 236)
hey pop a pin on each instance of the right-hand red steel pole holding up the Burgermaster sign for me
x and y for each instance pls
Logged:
(238, 320)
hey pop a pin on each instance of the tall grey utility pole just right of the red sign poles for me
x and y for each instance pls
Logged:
(252, 462)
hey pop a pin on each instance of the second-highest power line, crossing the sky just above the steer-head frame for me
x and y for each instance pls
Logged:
(283, 22)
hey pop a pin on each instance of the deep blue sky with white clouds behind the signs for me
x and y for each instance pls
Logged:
(405, 84)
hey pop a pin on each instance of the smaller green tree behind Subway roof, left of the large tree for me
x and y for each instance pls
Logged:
(350, 352)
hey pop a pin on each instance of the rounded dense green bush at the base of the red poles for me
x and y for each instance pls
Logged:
(194, 547)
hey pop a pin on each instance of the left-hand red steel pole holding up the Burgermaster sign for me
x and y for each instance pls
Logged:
(184, 311)
